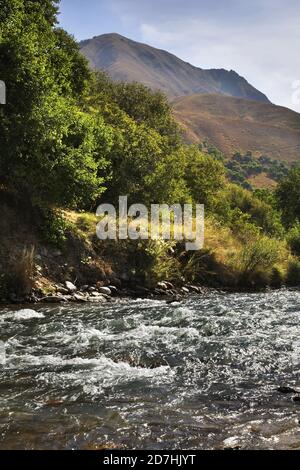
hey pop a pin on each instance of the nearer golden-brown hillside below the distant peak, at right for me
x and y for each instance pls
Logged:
(233, 124)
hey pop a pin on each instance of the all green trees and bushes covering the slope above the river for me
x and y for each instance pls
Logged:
(71, 139)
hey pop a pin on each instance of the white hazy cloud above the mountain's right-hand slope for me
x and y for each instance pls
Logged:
(266, 52)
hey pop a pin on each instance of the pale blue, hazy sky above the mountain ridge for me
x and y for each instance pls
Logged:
(259, 39)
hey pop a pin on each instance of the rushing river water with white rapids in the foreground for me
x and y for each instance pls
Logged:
(199, 374)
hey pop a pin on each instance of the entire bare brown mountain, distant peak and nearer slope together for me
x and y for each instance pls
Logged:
(215, 105)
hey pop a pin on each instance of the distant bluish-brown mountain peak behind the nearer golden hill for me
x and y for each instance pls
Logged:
(127, 60)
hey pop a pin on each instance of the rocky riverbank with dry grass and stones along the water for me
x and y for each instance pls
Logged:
(74, 266)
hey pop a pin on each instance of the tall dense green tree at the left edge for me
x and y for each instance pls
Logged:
(48, 145)
